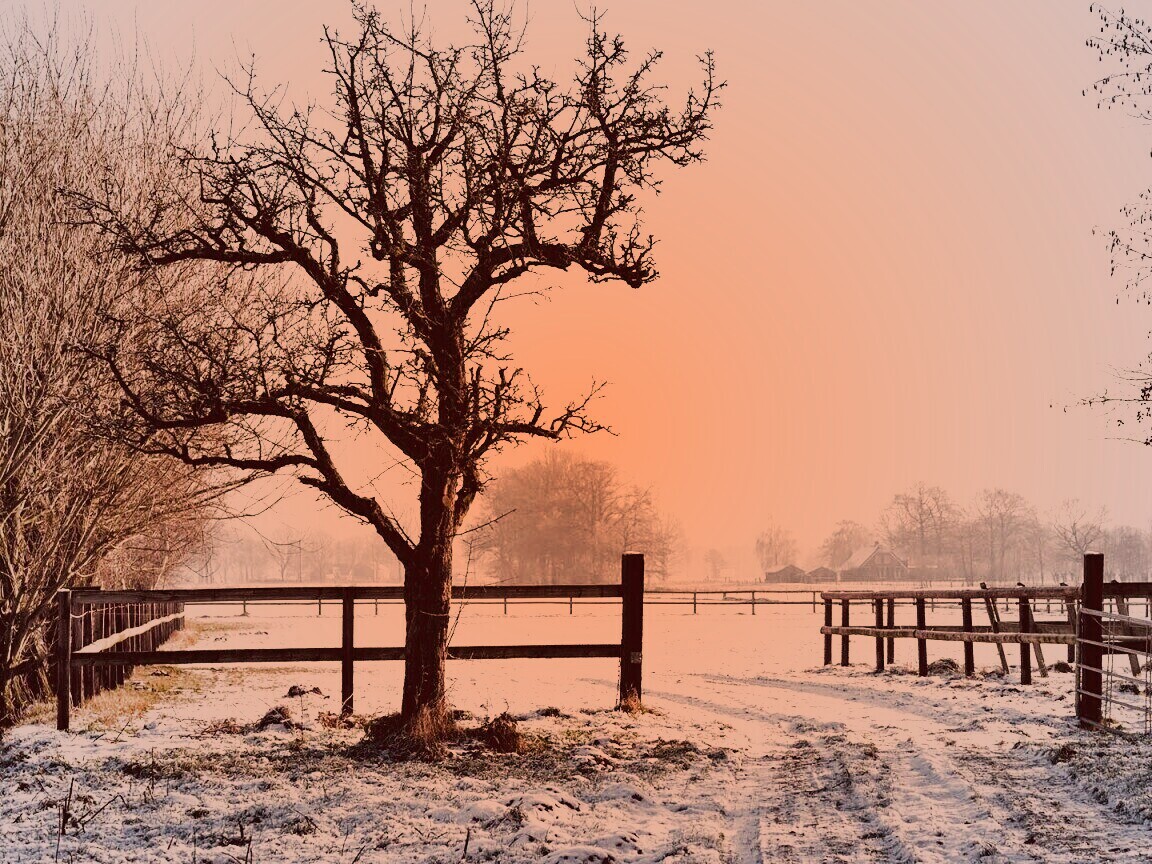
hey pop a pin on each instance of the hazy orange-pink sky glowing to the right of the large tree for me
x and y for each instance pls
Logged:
(884, 274)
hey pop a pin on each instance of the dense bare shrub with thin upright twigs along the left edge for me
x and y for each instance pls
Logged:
(75, 507)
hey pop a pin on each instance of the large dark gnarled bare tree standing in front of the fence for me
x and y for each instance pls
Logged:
(369, 249)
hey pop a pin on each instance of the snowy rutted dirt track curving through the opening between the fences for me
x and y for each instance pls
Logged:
(943, 774)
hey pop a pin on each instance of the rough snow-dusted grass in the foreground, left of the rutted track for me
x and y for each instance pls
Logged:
(274, 791)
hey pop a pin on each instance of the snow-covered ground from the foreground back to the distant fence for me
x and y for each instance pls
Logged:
(752, 753)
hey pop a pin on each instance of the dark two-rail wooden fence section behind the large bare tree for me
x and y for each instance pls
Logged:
(118, 651)
